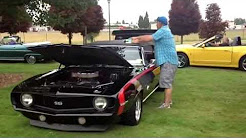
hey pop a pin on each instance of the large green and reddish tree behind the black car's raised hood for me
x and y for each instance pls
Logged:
(66, 16)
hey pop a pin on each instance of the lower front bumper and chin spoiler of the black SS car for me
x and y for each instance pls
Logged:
(69, 122)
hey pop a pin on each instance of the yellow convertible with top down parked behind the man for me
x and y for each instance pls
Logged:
(206, 53)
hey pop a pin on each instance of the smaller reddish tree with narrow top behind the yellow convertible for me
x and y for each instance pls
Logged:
(213, 24)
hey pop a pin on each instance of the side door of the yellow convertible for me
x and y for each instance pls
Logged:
(216, 55)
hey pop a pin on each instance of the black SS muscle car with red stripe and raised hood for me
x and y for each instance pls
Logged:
(98, 82)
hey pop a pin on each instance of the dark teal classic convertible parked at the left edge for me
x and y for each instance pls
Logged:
(12, 49)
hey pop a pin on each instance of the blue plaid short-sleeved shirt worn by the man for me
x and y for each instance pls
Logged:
(165, 50)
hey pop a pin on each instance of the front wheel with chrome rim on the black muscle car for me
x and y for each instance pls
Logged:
(133, 116)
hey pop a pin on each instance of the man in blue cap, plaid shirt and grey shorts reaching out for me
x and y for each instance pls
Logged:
(165, 55)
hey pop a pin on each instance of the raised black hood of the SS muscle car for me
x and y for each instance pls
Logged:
(81, 55)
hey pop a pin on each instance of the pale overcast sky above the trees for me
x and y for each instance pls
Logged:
(129, 10)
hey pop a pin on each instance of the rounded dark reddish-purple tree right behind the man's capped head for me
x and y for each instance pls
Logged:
(184, 17)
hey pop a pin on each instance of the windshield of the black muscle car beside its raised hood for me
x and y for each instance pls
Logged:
(131, 54)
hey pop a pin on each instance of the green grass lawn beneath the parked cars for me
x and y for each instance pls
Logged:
(208, 102)
